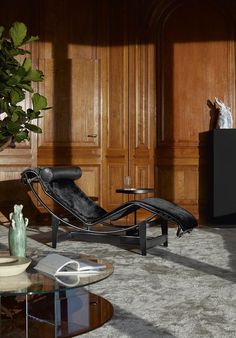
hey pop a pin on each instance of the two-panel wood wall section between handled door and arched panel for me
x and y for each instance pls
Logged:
(129, 139)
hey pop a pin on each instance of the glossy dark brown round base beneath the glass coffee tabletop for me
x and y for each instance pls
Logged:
(67, 313)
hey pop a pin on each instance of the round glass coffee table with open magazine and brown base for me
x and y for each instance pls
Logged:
(34, 305)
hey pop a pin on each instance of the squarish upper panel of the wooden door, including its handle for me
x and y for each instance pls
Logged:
(74, 119)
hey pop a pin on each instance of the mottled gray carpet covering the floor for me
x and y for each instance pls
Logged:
(187, 290)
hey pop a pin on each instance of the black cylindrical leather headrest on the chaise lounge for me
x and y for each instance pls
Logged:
(60, 173)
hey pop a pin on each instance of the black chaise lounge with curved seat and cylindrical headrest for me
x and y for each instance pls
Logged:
(58, 183)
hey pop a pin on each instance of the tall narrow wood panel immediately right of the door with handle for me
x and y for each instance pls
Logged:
(116, 135)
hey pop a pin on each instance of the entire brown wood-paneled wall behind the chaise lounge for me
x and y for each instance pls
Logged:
(128, 82)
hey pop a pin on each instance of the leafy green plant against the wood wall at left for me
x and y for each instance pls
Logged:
(16, 77)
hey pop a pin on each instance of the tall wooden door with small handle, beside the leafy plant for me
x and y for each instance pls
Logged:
(71, 61)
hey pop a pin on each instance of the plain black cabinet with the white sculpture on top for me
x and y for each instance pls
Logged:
(223, 174)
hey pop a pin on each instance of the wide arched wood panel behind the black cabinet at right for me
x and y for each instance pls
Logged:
(196, 63)
